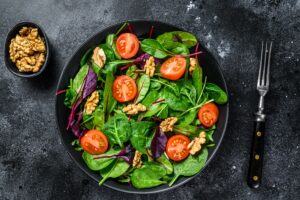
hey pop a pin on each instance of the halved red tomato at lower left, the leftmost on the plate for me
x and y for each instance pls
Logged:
(94, 142)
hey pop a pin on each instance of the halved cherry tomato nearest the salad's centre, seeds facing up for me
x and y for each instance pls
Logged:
(124, 89)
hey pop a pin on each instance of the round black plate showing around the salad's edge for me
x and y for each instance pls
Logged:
(211, 70)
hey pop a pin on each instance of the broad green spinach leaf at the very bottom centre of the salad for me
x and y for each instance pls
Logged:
(148, 176)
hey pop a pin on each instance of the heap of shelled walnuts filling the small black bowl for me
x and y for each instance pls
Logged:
(27, 50)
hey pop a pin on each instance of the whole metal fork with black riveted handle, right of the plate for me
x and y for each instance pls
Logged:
(263, 82)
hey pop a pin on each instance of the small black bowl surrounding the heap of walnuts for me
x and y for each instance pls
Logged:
(10, 65)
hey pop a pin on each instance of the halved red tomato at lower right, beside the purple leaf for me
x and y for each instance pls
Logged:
(177, 147)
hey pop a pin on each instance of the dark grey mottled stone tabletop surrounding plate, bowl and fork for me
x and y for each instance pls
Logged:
(34, 163)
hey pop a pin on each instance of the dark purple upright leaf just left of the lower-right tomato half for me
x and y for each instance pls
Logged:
(158, 144)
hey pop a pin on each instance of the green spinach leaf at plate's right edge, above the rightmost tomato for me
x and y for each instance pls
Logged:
(216, 93)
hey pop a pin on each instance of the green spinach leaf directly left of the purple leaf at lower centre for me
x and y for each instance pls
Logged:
(140, 134)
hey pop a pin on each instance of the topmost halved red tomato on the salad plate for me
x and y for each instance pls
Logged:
(127, 45)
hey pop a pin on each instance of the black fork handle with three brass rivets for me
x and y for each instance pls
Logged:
(256, 156)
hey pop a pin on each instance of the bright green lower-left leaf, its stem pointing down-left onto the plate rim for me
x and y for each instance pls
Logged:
(114, 170)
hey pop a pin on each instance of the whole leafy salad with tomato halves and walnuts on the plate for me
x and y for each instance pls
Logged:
(141, 109)
